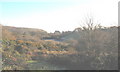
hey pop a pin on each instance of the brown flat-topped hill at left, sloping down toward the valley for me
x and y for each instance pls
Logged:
(24, 33)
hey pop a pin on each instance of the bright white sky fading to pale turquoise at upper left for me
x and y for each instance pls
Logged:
(62, 15)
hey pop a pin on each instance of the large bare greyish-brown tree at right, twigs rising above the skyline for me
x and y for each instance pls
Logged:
(98, 43)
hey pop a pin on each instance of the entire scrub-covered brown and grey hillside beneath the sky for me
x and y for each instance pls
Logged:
(27, 48)
